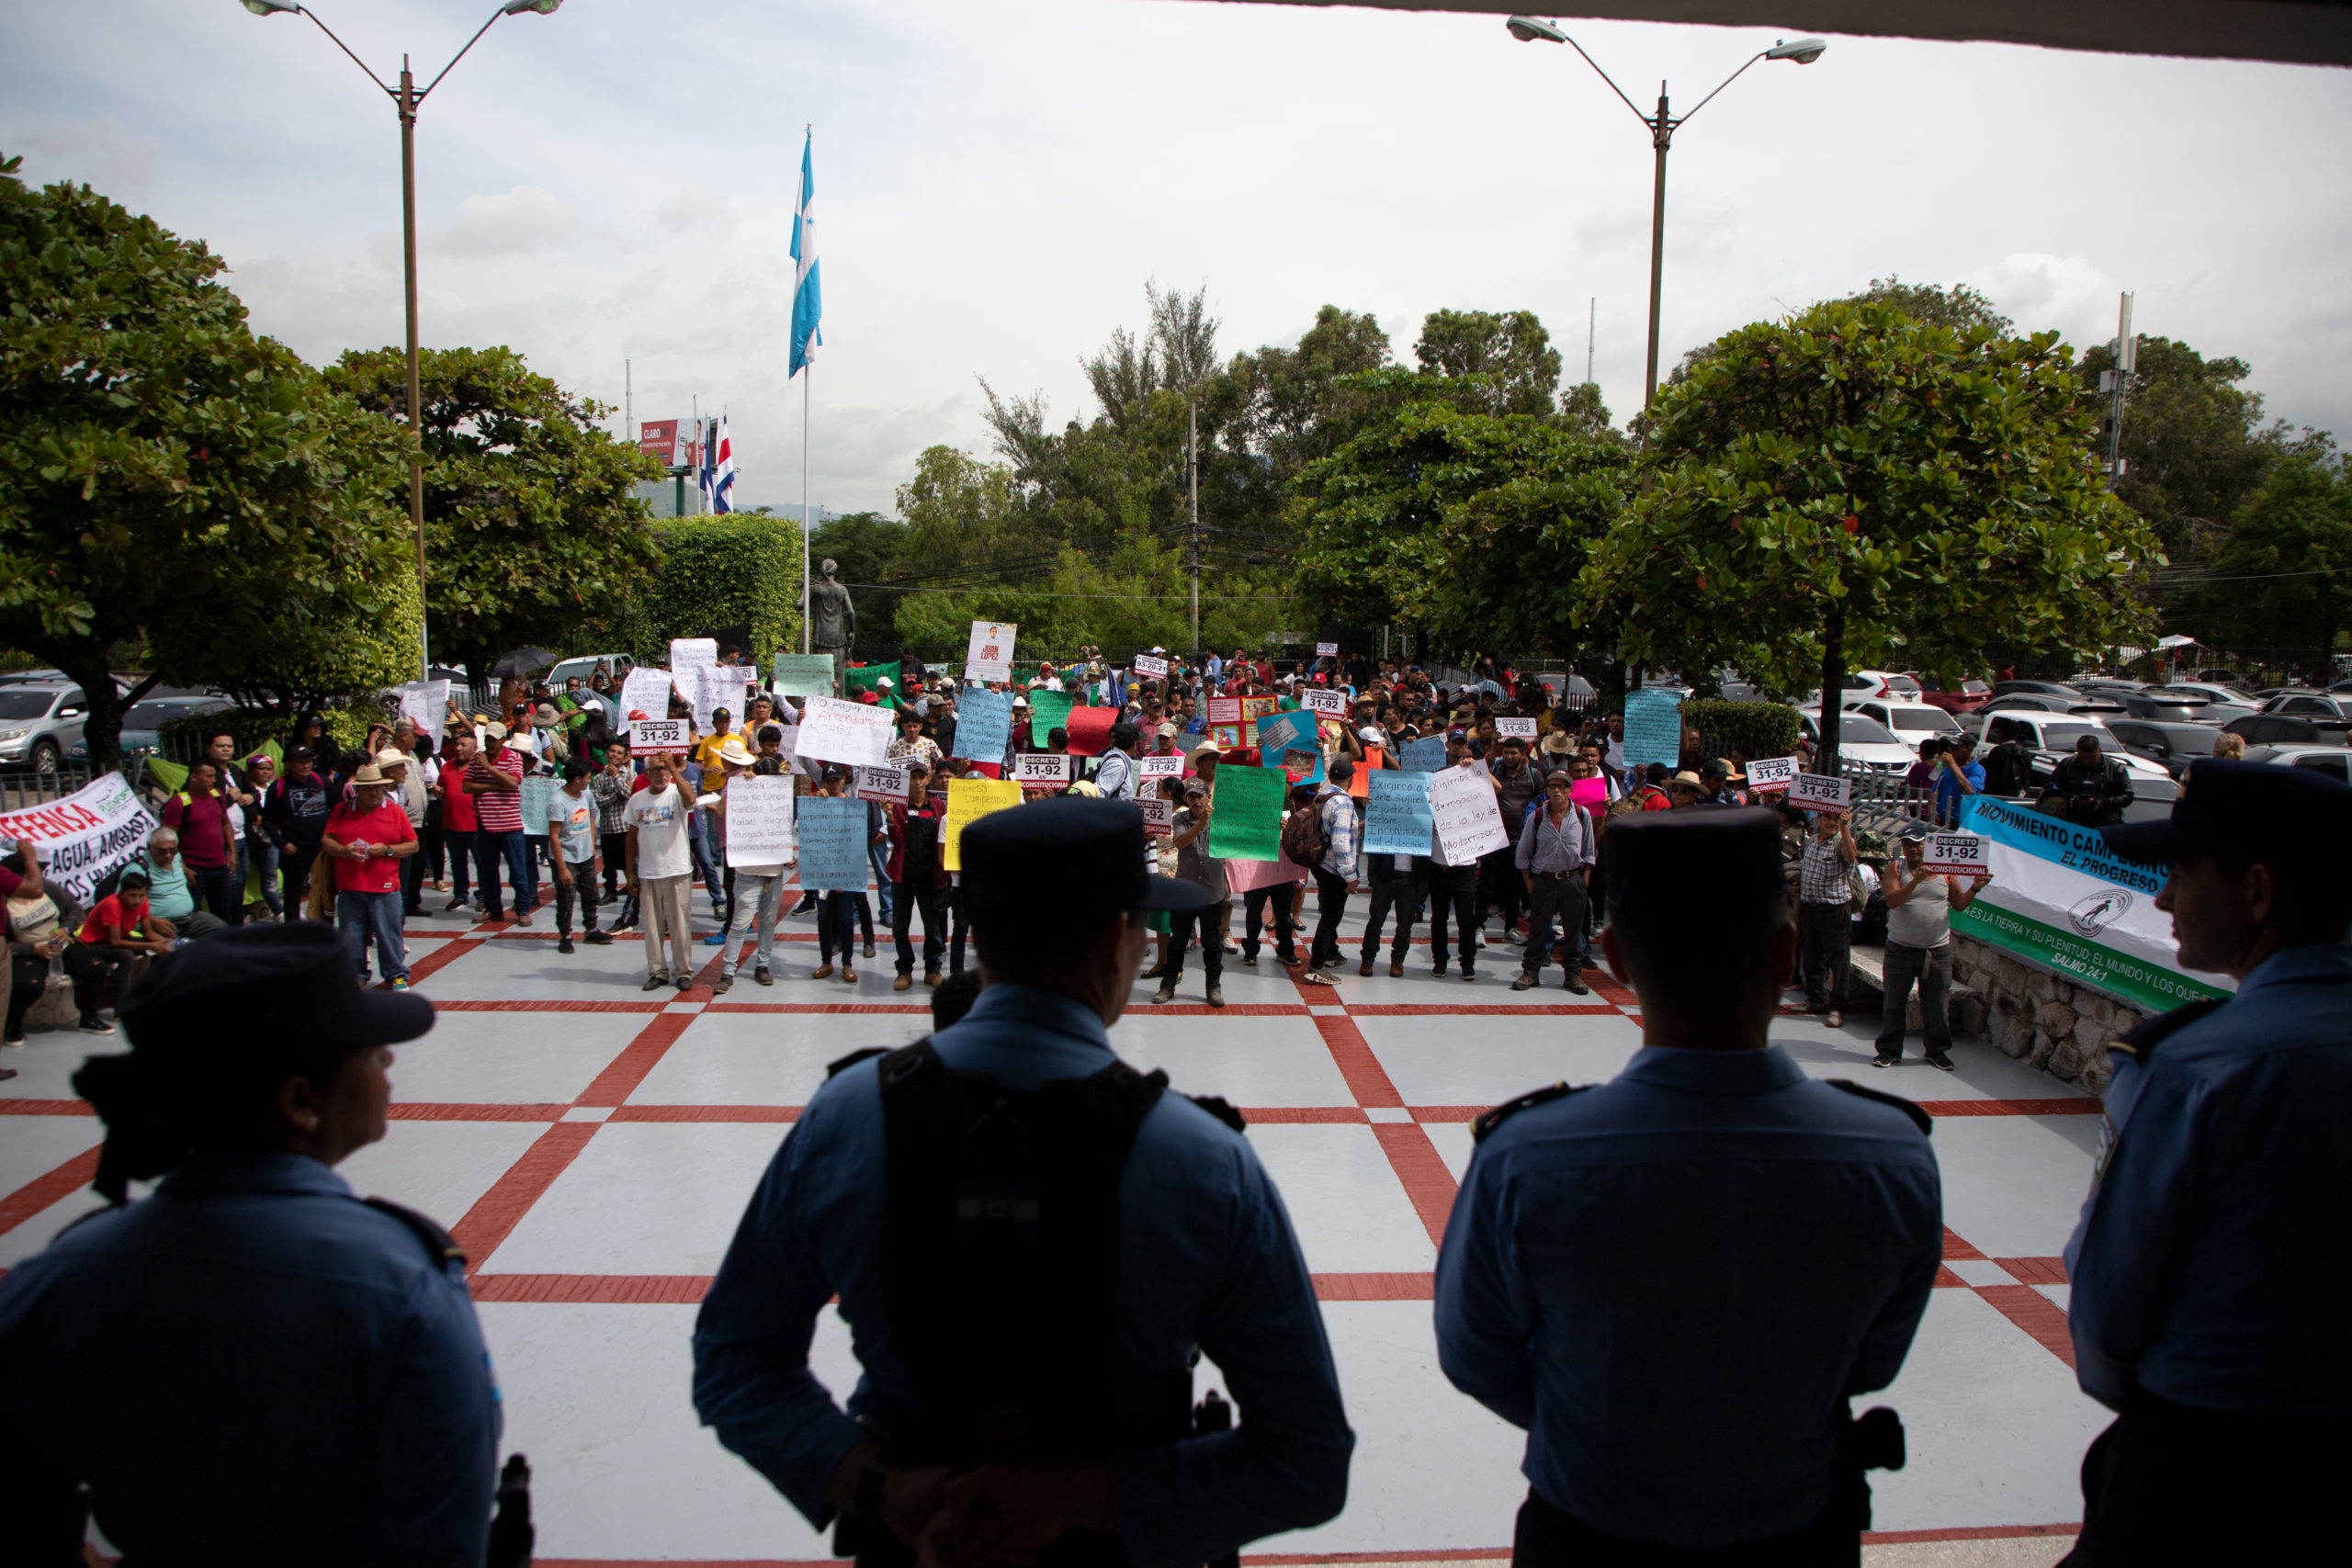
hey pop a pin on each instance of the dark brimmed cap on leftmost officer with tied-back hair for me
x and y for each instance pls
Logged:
(260, 984)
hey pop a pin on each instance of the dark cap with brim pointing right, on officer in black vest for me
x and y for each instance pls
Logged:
(1067, 855)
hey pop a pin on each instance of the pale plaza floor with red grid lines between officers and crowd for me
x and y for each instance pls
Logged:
(594, 1146)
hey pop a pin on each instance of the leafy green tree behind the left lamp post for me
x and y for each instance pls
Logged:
(530, 521)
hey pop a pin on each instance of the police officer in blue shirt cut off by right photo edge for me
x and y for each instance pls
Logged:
(2212, 1268)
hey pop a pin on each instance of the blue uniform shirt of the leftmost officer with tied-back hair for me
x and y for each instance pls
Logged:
(253, 1367)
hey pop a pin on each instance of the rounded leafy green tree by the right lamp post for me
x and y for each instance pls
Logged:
(1857, 485)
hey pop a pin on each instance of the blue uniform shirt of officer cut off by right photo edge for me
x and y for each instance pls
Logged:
(2212, 1259)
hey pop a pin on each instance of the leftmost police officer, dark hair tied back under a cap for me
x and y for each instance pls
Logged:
(253, 1365)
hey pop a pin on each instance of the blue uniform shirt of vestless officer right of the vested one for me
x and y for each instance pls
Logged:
(1676, 1282)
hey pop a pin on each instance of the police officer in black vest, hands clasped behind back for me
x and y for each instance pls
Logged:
(1031, 1245)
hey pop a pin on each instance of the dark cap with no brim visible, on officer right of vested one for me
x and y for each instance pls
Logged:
(1678, 864)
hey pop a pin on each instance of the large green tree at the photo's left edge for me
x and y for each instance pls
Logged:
(166, 476)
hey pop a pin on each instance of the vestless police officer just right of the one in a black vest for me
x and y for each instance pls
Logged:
(1681, 1278)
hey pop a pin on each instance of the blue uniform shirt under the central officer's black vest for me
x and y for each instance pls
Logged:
(1208, 1261)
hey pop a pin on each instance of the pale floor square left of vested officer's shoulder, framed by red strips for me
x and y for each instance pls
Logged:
(643, 1200)
